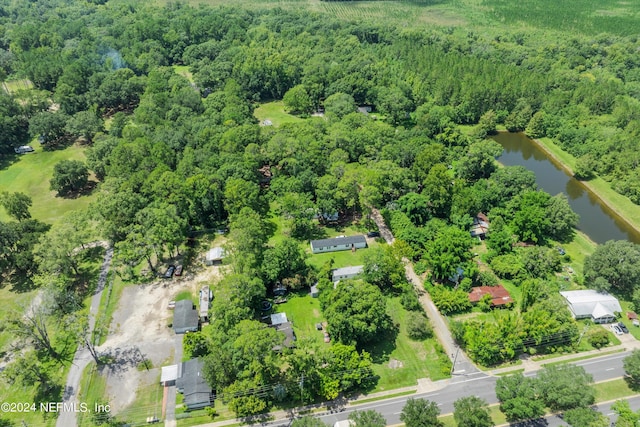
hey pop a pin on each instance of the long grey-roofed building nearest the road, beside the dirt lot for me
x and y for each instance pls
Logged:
(191, 383)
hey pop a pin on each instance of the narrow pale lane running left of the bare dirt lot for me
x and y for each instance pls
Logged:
(82, 356)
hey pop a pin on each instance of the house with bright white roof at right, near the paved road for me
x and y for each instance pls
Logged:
(598, 306)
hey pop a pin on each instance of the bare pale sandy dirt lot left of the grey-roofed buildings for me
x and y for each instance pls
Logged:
(140, 330)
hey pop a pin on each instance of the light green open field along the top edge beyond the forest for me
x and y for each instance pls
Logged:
(580, 16)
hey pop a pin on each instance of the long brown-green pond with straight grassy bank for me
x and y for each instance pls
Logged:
(597, 220)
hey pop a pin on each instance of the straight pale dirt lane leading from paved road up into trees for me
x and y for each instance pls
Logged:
(461, 363)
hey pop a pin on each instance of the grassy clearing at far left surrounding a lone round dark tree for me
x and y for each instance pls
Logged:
(30, 174)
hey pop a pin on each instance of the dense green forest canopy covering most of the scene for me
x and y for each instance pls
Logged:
(179, 153)
